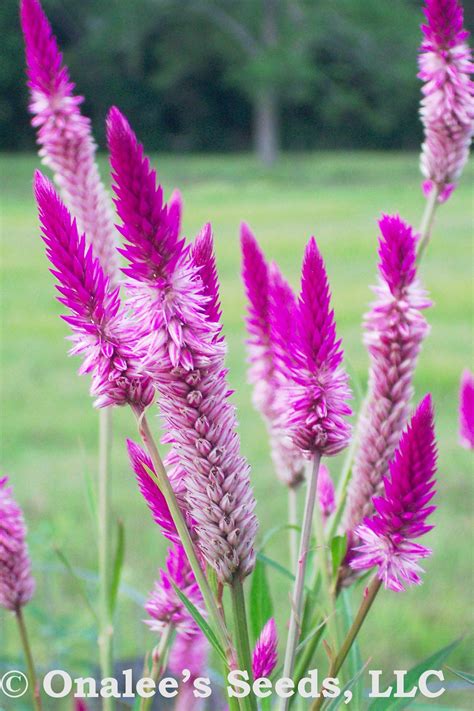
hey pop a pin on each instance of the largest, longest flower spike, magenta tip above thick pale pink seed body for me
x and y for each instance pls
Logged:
(173, 293)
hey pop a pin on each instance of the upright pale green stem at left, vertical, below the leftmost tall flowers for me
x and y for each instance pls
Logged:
(103, 539)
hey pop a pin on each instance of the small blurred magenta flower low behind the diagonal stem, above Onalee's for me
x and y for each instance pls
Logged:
(164, 606)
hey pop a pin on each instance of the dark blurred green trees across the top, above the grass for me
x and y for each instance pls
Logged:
(210, 75)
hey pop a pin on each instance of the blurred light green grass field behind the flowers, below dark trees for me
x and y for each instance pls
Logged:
(49, 430)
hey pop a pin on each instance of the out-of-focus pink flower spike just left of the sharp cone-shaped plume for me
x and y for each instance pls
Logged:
(270, 321)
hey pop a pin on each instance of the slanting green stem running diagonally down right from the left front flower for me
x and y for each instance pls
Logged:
(164, 484)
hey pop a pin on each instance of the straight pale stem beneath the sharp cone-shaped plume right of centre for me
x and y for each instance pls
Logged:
(297, 602)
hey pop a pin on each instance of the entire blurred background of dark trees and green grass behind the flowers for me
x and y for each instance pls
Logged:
(341, 76)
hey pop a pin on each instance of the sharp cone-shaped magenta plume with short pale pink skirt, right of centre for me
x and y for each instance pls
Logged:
(315, 401)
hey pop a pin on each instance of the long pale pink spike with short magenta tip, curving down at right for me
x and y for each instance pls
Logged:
(394, 331)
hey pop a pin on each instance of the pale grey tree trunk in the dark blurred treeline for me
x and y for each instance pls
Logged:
(266, 126)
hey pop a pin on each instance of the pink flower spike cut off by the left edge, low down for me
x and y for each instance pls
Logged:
(16, 582)
